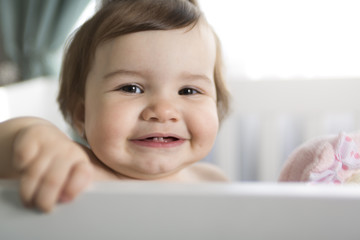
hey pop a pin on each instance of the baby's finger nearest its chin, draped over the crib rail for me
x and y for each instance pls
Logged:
(80, 177)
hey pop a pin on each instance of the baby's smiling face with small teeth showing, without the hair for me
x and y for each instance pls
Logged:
(150, 102)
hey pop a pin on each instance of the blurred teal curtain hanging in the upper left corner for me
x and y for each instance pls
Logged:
(33, 31)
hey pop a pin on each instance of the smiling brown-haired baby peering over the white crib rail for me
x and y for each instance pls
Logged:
(142, 83)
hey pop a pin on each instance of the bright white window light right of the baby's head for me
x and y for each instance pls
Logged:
(287, 39)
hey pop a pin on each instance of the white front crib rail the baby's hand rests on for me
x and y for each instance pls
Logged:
(150, 210)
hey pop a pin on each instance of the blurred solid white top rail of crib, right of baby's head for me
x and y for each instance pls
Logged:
(296, 97)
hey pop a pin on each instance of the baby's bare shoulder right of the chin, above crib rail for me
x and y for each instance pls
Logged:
(207, 172)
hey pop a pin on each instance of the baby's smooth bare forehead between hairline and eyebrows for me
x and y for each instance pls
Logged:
(159, 53)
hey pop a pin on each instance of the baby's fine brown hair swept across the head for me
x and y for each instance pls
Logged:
(117, 18)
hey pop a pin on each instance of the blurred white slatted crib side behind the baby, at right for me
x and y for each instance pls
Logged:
(303, 108)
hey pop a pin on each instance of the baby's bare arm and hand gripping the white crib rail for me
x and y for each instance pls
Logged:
(50, 166)
